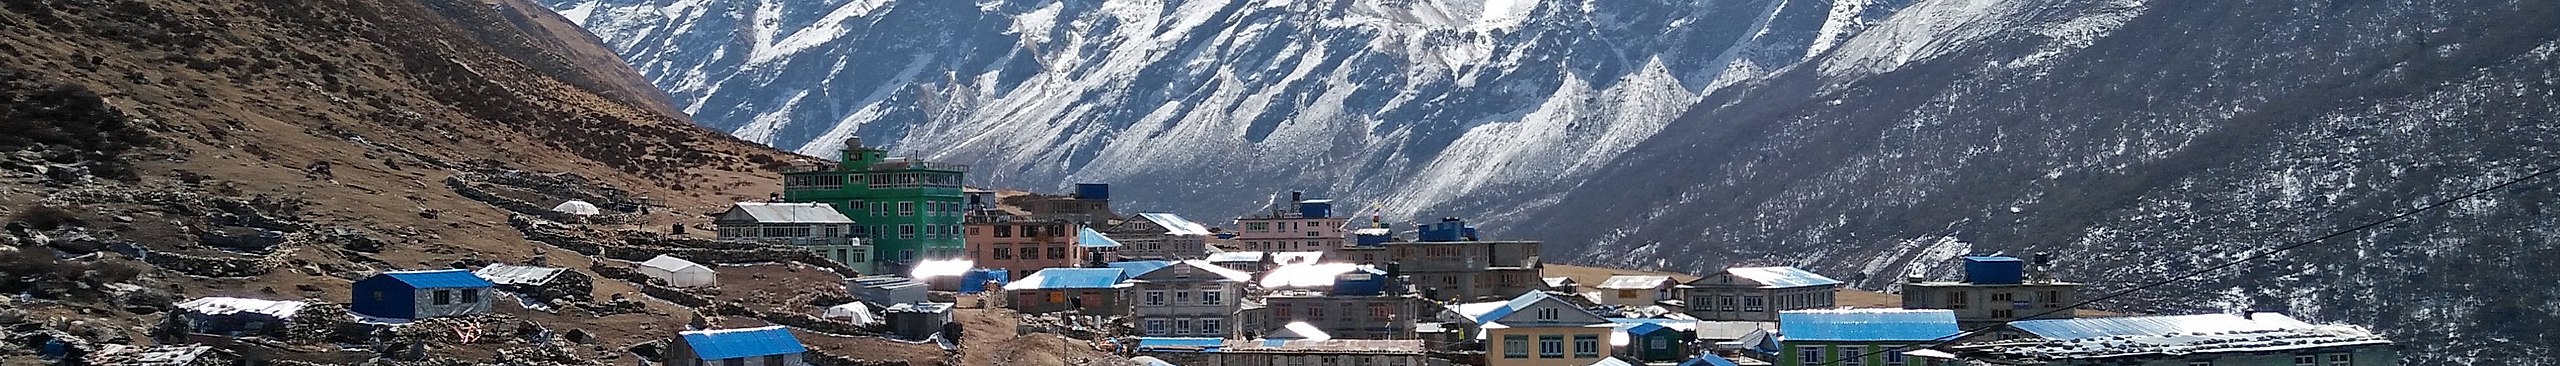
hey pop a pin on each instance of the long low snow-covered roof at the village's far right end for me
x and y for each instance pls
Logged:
(2177, 337)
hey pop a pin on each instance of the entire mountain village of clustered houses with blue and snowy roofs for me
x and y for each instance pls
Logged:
(1292, 285)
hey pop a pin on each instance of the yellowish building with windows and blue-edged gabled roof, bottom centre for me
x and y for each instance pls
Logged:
(1542, 331)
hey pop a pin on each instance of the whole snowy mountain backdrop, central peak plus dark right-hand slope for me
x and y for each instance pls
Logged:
(1862, 139)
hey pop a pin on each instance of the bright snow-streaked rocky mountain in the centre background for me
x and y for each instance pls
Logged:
(1192, 104)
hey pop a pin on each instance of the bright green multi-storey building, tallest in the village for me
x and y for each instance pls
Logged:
(908, 209)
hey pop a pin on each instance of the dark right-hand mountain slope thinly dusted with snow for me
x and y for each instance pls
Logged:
(2139, 142)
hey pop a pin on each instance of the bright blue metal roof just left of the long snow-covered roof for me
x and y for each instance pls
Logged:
(1865, 326)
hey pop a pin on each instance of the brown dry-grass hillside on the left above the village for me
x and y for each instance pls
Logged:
(170, 150)
